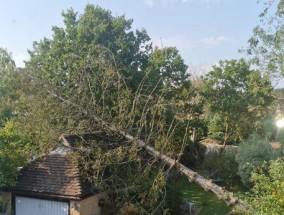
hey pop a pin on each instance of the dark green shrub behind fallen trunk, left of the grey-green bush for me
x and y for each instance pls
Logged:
(222, 165)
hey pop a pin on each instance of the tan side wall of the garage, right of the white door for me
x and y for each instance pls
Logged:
(88, 206)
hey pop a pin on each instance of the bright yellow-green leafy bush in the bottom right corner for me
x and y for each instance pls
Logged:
(267, 194)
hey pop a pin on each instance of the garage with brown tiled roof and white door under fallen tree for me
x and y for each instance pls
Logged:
(52, 185)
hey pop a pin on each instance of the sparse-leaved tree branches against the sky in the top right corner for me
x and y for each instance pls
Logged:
(266, 46)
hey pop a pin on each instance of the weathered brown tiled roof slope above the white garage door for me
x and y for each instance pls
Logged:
(53, 175)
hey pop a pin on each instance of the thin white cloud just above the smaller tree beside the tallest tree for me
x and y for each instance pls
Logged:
(180, 42)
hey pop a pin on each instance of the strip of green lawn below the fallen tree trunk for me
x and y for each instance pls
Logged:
(207, 201)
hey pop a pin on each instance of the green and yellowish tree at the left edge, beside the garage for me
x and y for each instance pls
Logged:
(12, 141)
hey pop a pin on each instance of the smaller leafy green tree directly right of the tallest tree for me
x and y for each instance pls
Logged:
(170, 71)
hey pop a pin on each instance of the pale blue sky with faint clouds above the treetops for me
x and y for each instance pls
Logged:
(205, 31)
